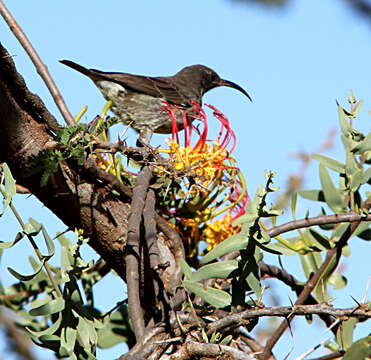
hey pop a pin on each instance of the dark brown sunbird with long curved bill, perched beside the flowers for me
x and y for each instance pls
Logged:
(138, 101)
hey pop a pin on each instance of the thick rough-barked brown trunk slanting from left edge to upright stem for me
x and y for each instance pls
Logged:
(73, 195)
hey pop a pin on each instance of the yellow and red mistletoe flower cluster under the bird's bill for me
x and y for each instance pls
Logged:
(218, 186)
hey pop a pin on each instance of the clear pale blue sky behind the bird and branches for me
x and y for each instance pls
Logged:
(294, 62)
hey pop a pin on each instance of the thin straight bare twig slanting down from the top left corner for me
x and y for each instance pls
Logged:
(40, 67)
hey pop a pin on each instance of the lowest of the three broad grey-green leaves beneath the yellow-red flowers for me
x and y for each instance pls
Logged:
(215, 297)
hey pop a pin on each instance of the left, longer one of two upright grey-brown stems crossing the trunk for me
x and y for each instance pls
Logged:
(132, 258)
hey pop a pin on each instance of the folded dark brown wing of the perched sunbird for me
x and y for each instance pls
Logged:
(160, 87)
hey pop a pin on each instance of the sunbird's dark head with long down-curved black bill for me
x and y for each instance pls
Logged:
(209, 79)
